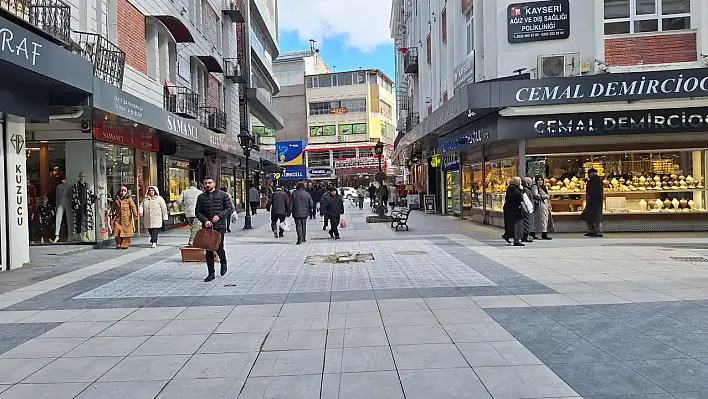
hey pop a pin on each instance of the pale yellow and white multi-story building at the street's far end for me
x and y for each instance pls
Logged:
(348, 113)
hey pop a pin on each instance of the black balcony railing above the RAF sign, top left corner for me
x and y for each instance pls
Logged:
(53, 17)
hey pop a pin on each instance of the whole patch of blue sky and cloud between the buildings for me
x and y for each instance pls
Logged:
(349, 36)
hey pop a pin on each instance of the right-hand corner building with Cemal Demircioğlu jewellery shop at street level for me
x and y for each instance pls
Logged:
(488, 90)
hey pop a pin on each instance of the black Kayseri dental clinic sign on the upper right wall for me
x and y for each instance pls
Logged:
(537, 21)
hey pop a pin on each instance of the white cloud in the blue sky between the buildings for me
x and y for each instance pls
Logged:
(364, 24)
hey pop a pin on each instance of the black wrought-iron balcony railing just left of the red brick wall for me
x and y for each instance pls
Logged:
(108, 59)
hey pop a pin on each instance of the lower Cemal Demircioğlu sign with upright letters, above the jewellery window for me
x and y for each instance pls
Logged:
(610, 123)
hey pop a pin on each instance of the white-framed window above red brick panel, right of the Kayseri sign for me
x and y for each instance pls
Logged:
(637, 16)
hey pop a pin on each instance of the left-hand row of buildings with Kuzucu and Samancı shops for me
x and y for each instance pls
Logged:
(127, 93)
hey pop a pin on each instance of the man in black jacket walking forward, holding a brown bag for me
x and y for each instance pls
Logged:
(213, 210)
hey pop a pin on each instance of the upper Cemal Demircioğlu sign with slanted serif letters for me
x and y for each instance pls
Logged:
(608, 87)
